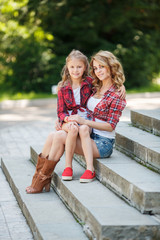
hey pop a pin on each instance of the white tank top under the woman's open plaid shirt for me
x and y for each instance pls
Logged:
(92, 103)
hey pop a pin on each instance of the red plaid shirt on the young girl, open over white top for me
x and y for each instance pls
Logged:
(67, 102)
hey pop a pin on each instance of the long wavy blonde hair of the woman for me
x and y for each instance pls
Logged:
(107, 59)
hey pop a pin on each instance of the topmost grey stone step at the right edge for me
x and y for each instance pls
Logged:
(148, 120)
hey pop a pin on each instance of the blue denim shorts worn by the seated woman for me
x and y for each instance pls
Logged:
(104, 145)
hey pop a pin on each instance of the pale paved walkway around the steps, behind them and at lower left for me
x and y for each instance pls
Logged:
(17, 129)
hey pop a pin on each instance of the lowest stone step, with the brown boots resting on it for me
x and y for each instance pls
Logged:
(46, 214)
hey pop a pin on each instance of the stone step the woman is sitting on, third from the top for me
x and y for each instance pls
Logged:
(136, 184)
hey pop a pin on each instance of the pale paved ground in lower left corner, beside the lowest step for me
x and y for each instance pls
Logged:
(13, 224)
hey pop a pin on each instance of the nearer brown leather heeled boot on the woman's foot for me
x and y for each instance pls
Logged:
(44, 177)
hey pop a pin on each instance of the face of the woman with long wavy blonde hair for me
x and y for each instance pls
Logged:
(102, 72)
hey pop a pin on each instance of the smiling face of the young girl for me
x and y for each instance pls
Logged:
(76, 69)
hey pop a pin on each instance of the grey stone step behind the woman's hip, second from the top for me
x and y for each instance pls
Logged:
(142, 146)
